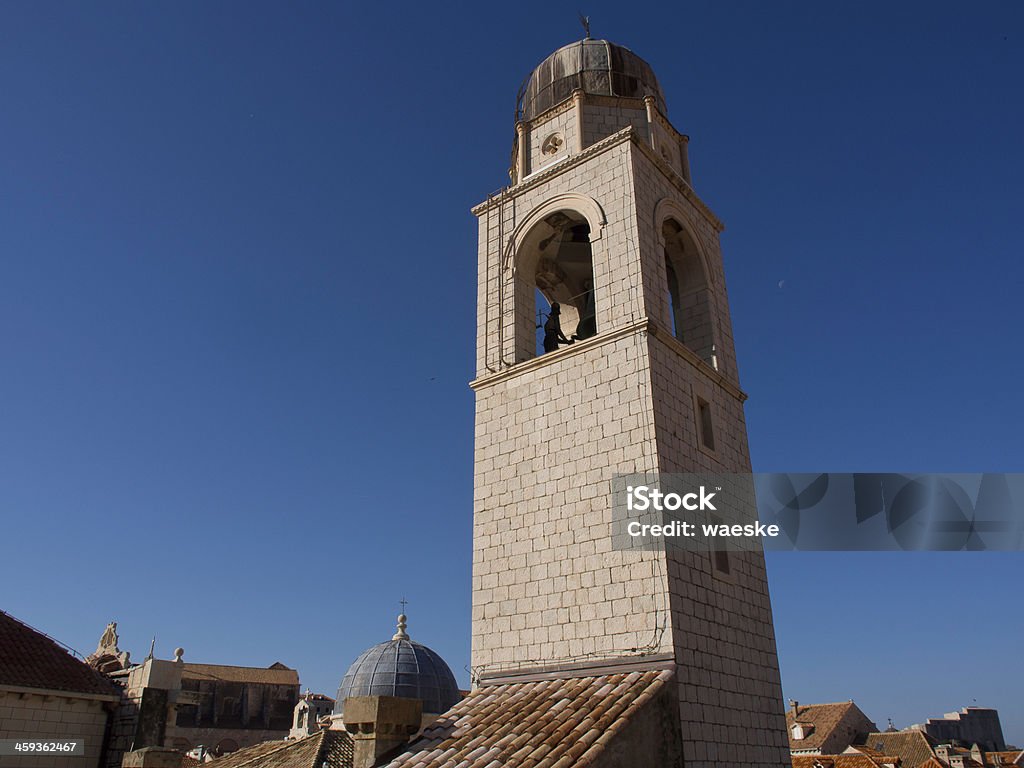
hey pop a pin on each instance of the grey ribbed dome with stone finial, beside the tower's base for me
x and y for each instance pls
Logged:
(401, 668)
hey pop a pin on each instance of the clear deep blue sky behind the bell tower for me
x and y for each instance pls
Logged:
(237, 307)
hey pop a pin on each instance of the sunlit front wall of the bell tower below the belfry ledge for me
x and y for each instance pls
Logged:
(547, 585)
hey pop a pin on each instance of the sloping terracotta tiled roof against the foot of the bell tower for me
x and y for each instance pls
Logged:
(547, 724)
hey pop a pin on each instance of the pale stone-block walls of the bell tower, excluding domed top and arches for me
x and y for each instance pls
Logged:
(552, 432)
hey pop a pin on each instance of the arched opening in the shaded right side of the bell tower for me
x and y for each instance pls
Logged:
(689, 292)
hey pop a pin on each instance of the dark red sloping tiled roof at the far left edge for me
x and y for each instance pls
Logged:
(31, 660)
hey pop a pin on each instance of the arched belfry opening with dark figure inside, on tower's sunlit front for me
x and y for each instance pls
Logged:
(556, 266)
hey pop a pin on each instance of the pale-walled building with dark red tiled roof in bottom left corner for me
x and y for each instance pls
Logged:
(46, 693)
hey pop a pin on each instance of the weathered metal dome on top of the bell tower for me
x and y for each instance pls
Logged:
(595, 66)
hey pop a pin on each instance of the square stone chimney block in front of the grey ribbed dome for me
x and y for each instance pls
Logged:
(380, 724)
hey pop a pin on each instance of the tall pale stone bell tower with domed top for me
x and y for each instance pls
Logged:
(603, 219)
